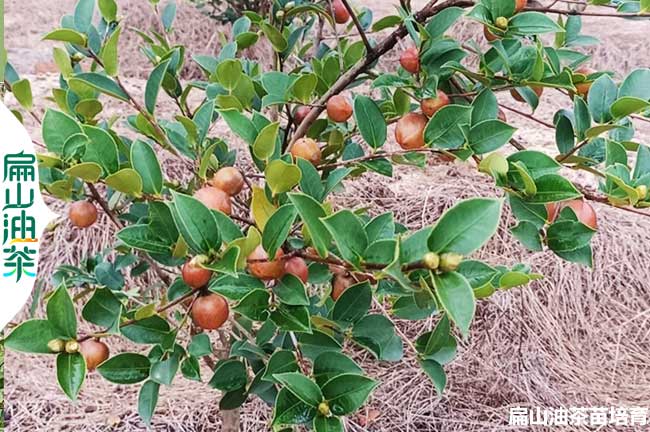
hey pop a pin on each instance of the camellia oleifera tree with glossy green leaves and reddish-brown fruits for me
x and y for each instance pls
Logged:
(256, 252)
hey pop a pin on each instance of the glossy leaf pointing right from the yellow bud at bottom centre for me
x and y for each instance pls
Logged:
(346, 393)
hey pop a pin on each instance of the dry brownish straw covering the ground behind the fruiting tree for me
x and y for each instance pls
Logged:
(578, 337)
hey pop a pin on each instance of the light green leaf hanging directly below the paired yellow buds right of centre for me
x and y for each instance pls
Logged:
(457, 299)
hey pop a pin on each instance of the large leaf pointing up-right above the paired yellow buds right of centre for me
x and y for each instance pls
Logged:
(466, 227)
